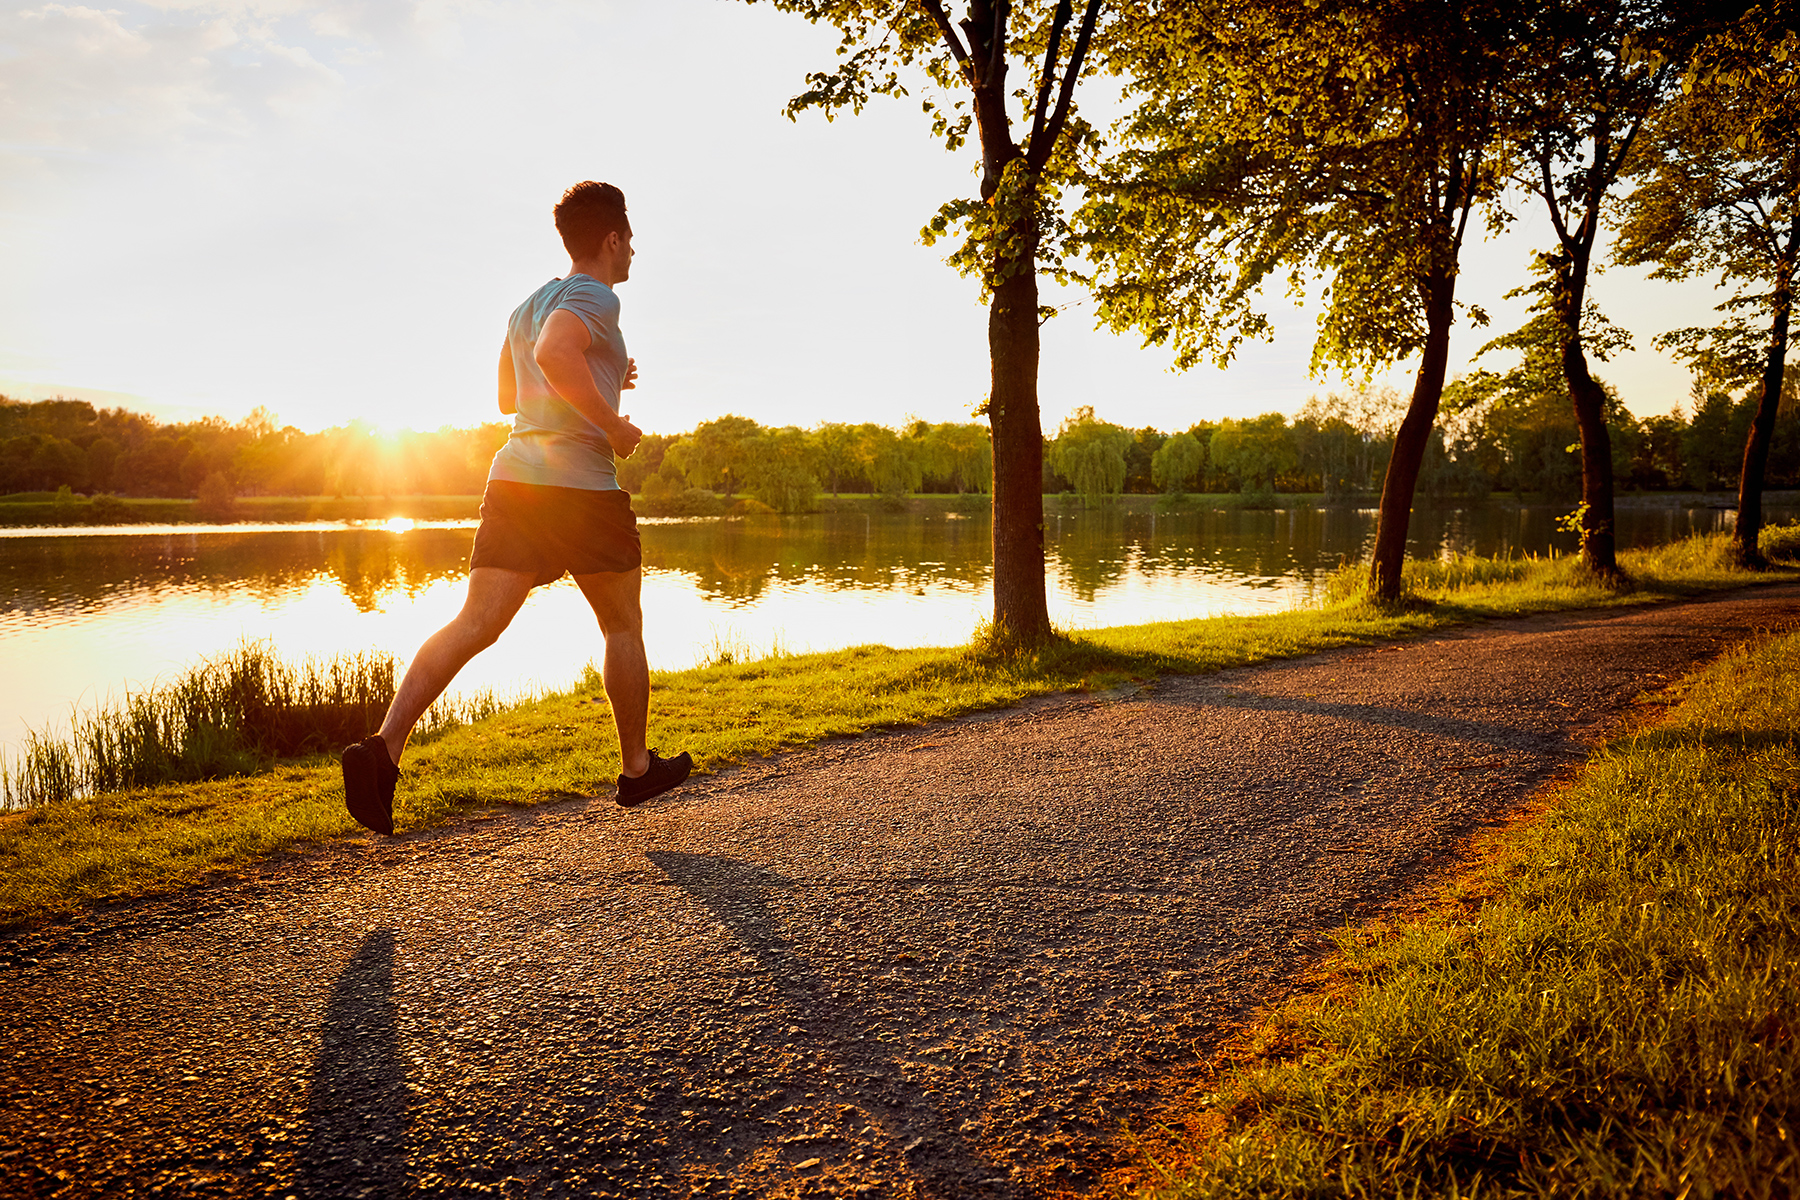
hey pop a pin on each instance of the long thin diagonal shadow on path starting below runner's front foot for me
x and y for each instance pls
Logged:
(737, 895)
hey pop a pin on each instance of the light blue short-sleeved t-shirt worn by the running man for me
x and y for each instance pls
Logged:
(553, 443)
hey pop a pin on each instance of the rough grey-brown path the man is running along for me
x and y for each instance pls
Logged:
(937, 963)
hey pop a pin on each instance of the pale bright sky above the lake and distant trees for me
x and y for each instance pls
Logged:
(330, 210)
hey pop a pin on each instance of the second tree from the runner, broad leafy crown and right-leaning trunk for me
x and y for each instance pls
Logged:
(1347, 143)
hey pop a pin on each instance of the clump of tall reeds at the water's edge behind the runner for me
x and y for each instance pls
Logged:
(231, 715)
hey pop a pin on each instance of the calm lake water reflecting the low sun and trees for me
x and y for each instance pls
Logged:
(87, 616)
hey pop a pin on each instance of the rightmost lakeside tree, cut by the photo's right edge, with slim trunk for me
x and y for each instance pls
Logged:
(1720, 192)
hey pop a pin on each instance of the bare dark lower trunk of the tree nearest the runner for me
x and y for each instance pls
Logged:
(1018, 436)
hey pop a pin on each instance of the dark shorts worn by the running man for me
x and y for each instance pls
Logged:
(548, 532)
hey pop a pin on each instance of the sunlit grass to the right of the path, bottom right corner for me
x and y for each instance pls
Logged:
(1606, 1005)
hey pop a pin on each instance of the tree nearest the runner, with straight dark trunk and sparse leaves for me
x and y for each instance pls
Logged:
(1011, 231)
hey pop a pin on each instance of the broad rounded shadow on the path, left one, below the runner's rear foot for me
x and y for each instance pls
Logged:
(357, 1106)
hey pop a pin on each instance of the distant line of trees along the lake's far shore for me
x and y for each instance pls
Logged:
(1500, 434)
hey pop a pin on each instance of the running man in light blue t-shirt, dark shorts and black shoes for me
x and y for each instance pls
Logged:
(553, 505)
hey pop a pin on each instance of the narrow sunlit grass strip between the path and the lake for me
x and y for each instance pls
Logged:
(557, 748)
